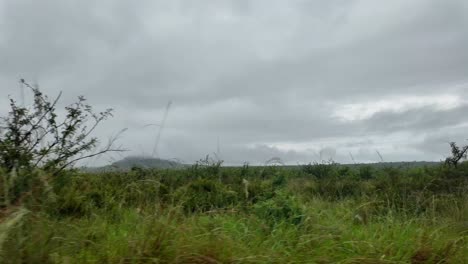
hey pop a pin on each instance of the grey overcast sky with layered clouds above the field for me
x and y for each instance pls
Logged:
(298, 80)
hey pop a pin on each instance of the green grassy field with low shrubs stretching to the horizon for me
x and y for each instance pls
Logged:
(322, 213)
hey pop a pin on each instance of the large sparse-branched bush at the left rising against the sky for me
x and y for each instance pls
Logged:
(36, 137)
